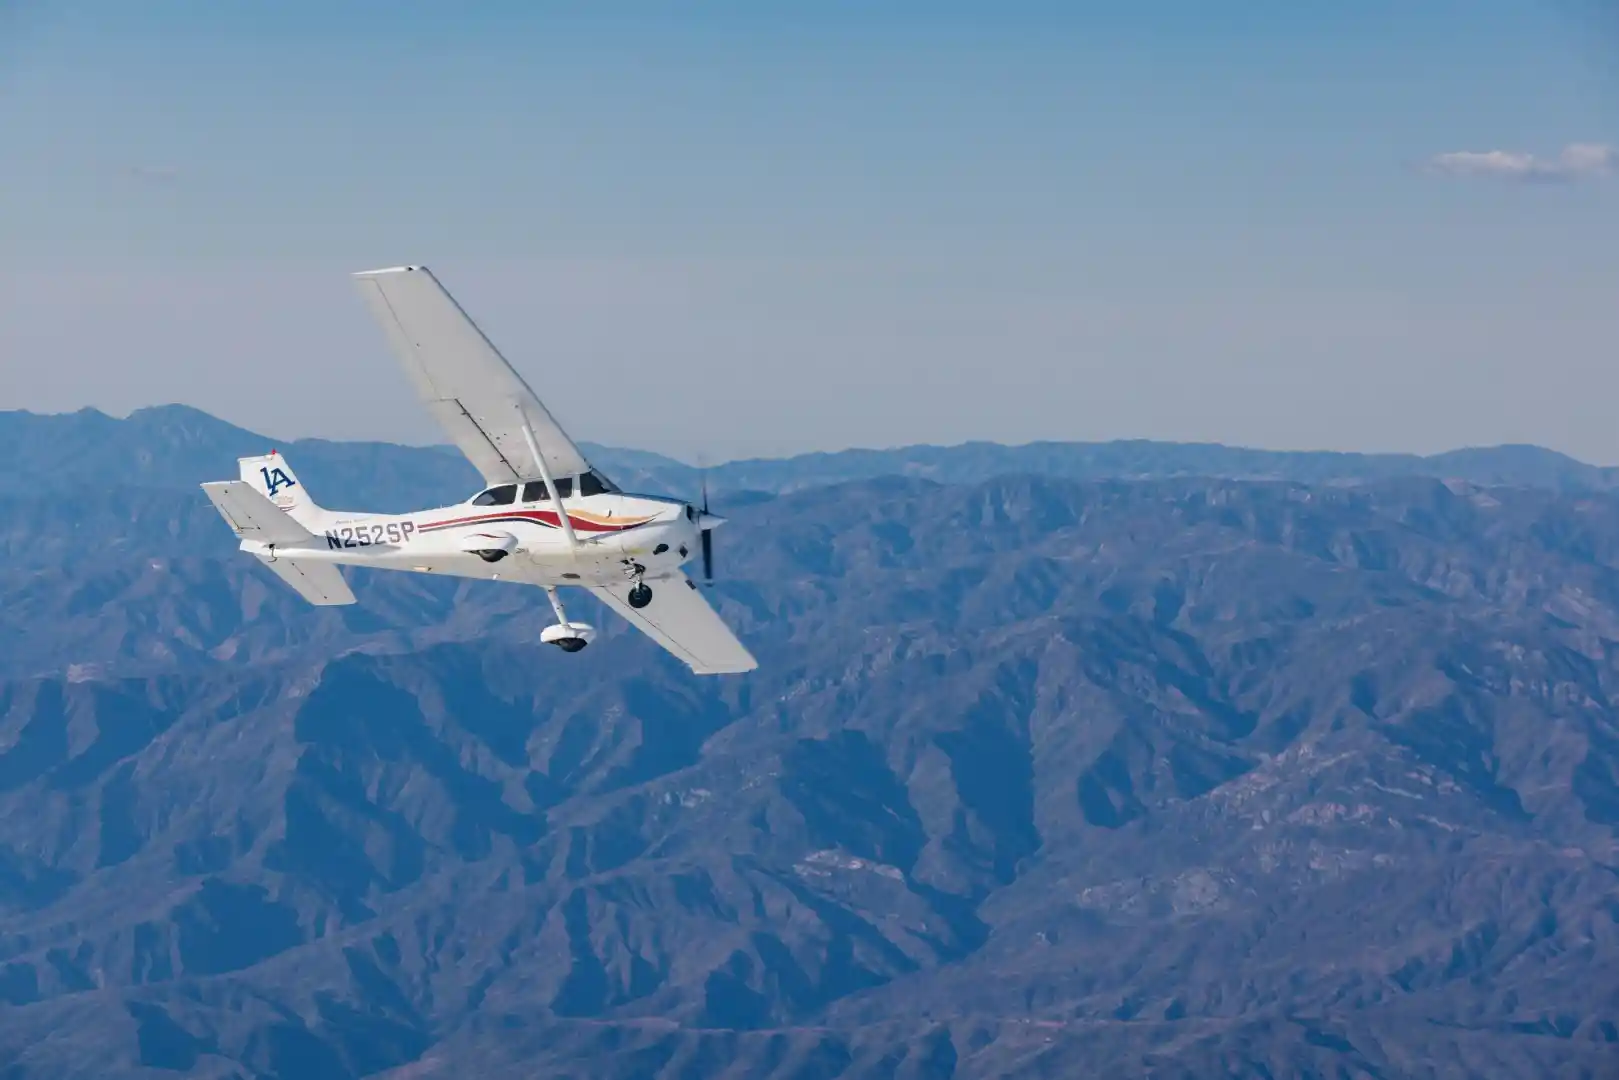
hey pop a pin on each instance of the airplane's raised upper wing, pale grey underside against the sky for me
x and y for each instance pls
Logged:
(464, 380)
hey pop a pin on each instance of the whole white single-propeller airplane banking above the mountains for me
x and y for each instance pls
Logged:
(546, 516)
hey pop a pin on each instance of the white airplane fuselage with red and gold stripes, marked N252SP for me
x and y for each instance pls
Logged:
(616, 537)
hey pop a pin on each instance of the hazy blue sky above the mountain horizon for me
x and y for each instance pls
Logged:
(739, 229)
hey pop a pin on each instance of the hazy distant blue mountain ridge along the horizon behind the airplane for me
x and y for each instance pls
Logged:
(177, 446)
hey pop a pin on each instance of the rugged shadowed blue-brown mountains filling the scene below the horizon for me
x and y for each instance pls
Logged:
(1168, 775)
